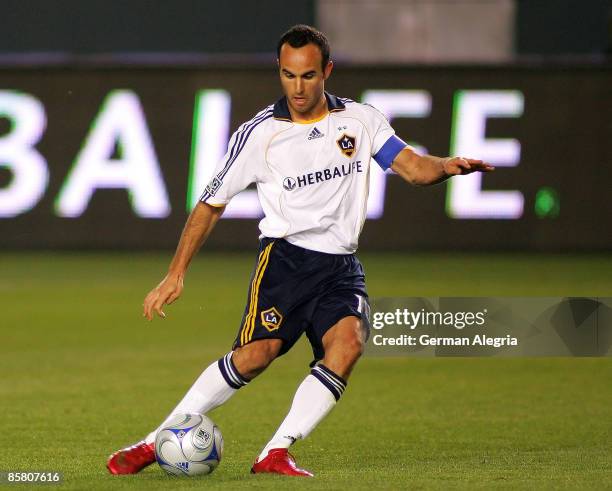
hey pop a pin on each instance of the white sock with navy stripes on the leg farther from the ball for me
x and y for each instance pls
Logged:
(313, 400)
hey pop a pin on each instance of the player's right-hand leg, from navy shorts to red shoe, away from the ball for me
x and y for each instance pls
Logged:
(338, 330)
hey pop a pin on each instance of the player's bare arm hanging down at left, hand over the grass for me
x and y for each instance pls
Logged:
(198, 227)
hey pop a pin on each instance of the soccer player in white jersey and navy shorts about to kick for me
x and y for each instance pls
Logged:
(309, 155)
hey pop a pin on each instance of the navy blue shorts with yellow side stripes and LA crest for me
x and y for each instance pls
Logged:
(295, 290)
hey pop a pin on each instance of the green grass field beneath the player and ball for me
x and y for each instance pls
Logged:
(83, 374)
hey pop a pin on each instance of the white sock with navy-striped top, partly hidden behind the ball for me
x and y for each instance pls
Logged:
(214, 386)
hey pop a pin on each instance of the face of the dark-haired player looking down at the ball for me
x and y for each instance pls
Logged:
(303, 80)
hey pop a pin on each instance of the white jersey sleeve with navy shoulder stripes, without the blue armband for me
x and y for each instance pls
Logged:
(236, 170)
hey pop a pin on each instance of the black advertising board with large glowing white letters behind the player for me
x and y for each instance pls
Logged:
(113, 158)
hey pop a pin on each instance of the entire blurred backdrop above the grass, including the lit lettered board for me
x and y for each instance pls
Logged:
(113, 114)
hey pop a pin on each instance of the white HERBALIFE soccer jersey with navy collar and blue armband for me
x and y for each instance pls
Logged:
(312, 178)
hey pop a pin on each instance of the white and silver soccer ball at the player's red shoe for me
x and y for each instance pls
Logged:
(189, 445)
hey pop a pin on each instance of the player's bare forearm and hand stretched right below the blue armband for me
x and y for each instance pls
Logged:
(424, 170)
